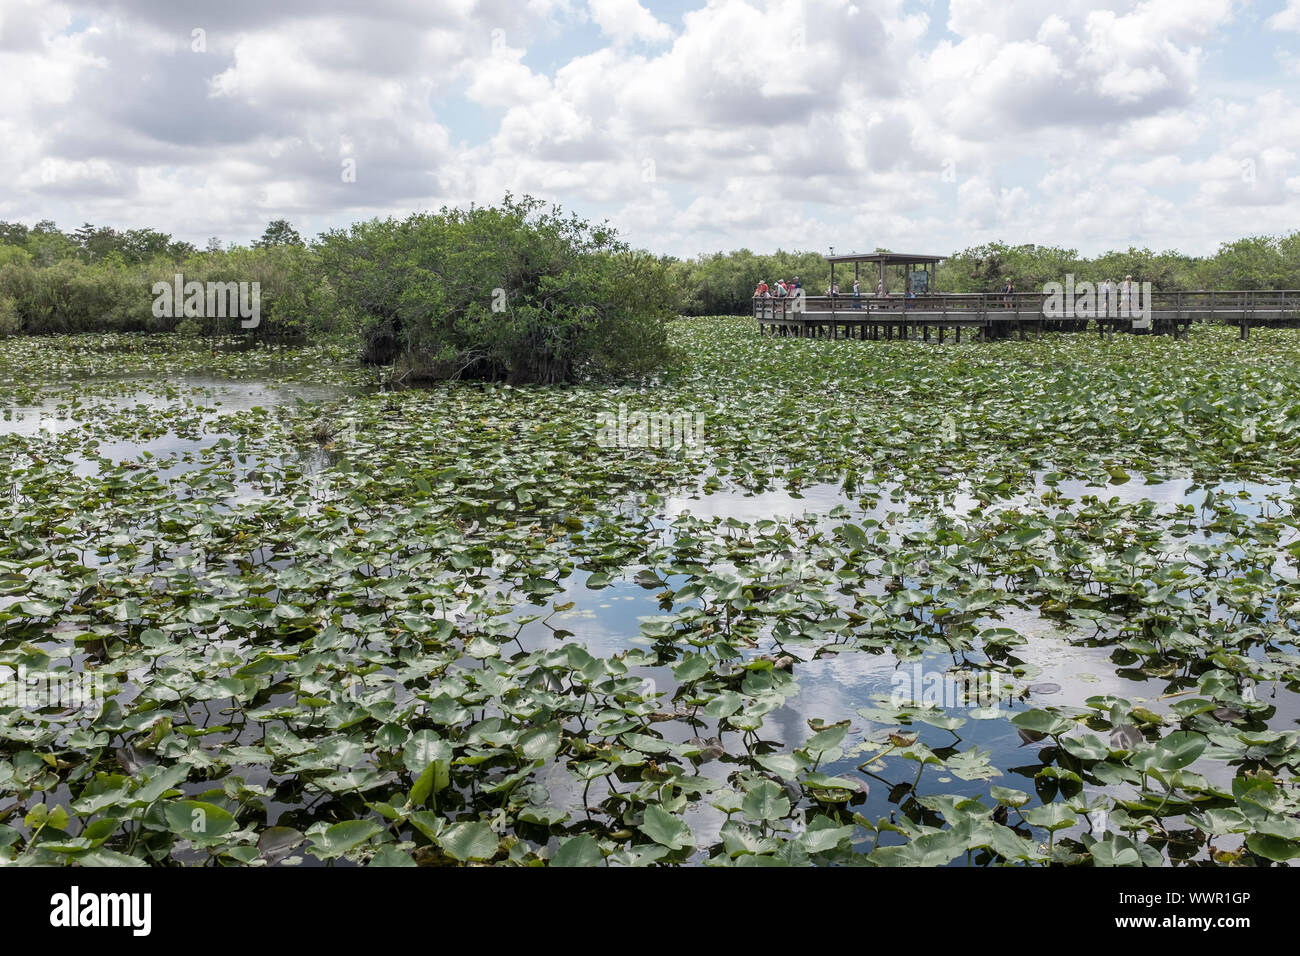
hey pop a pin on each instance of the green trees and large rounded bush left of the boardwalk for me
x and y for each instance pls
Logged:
(518, 292)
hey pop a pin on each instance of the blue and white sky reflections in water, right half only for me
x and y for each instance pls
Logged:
(1054, 671)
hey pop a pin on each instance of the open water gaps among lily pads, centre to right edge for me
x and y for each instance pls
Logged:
(1054, 668)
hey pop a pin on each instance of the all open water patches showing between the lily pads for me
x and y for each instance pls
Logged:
(196, 429)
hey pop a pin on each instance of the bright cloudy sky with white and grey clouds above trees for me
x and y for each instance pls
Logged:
(692, 127)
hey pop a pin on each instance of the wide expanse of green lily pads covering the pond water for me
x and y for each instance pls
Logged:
(1007, 603)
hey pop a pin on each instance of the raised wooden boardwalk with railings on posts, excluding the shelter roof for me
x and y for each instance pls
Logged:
(996, 315)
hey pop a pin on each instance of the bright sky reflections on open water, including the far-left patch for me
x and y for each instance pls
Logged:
(830, 689)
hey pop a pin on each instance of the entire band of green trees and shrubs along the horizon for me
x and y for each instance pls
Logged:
(518, 292)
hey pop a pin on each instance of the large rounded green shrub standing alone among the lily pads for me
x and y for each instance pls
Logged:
(518, 292)
